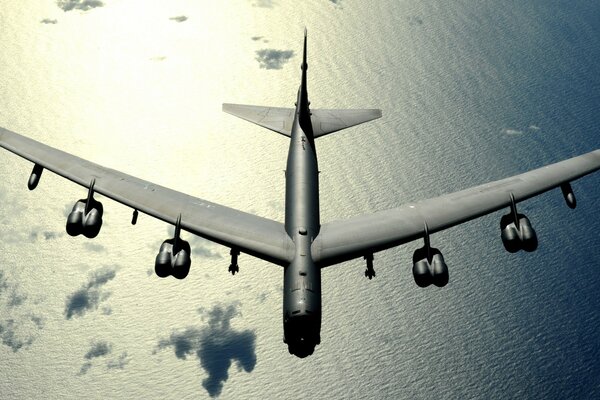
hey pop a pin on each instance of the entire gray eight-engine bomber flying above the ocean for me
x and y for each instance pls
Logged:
(302, 245)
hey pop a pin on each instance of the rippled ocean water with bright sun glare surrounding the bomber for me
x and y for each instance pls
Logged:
(470, 92)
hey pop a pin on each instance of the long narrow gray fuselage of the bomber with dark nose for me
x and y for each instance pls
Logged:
(302, 278)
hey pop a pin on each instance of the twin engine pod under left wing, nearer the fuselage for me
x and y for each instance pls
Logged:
(173, 259)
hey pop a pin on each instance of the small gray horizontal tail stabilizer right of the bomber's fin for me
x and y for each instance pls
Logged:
(325, 121)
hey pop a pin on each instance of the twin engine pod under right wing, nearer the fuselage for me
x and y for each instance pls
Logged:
(430, 268)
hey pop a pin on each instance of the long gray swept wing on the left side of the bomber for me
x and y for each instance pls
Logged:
(260, 237)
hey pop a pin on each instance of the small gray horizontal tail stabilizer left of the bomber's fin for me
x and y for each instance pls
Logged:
(276, 119)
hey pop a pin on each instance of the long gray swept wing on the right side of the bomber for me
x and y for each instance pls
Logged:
(344, 240)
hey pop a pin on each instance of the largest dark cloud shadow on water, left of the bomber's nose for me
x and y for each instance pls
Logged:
(216, 346)
